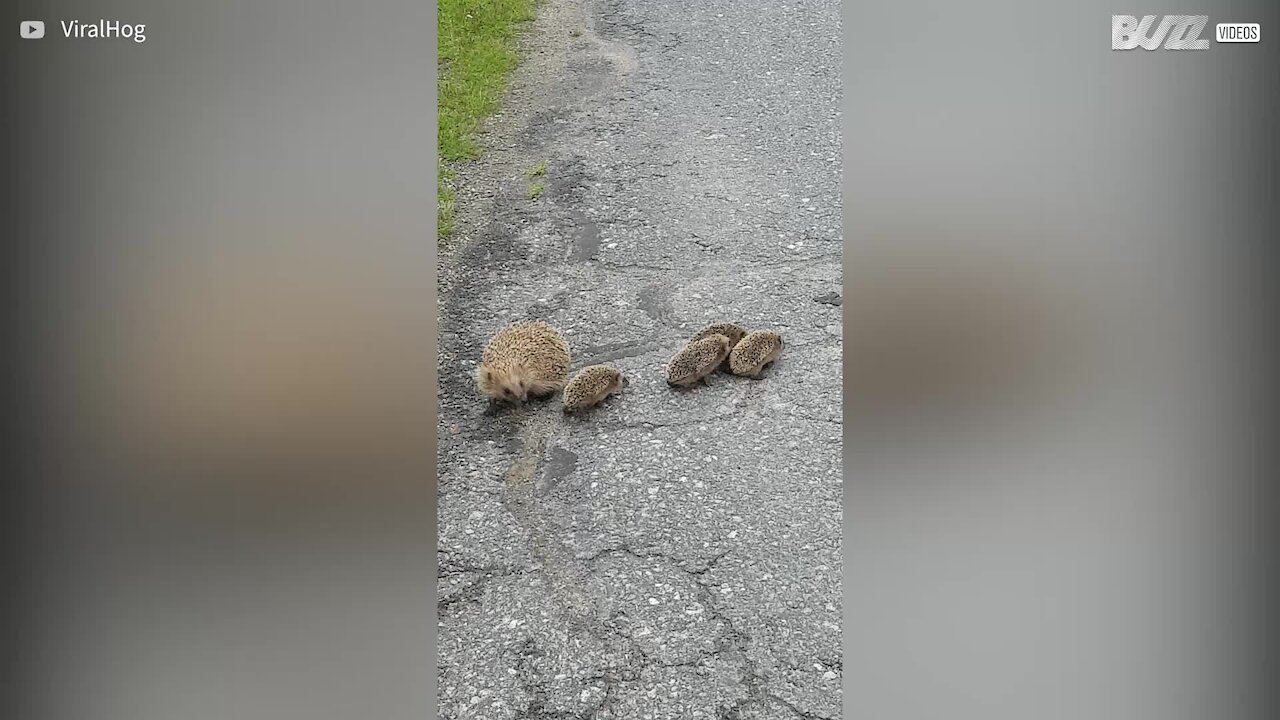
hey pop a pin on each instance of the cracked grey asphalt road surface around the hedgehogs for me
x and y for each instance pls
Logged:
(674, 554)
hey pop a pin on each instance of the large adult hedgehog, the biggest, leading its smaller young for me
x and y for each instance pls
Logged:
(525, 359)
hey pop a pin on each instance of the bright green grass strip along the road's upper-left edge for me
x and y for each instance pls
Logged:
(477, 56)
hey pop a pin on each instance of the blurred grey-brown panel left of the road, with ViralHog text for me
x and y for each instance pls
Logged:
(222, 277)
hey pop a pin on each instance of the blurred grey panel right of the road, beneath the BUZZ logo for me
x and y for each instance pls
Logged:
(1055, 354)
